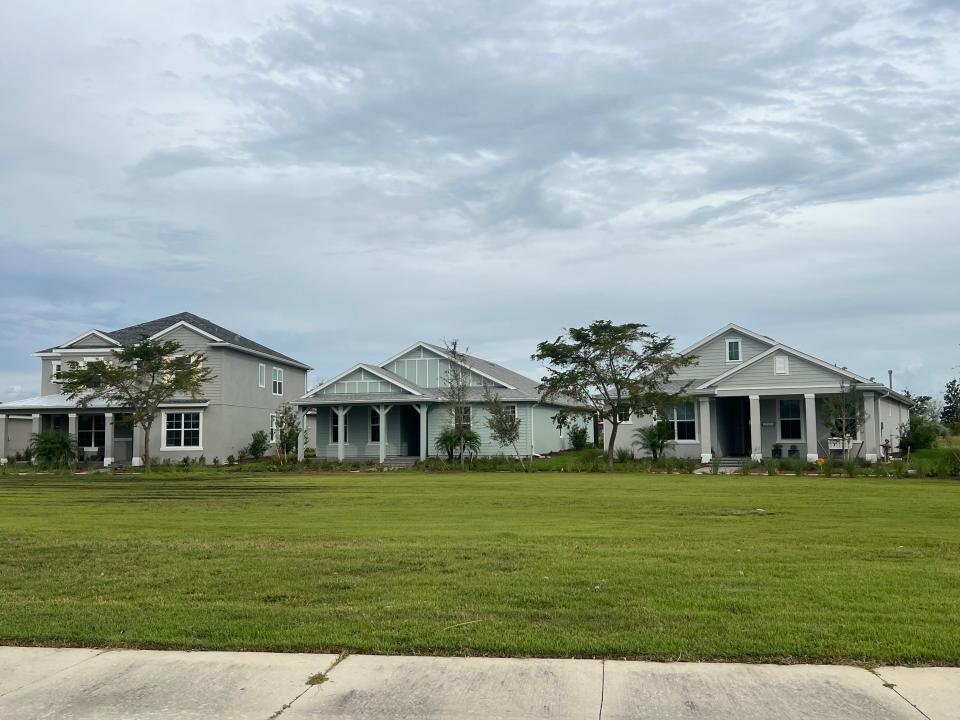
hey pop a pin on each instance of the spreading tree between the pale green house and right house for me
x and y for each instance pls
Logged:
(612, 370)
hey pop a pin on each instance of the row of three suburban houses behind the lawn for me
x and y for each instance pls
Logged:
(749, 395)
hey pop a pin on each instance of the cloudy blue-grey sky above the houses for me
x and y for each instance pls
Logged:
(338, 180)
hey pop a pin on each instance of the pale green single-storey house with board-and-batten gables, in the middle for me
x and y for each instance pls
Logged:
(396, 409)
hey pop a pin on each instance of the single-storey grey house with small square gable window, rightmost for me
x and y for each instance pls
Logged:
(750, 395)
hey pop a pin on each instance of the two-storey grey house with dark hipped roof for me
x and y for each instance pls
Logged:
(250, 381)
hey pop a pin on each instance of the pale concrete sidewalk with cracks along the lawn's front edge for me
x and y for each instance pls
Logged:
(114, 684)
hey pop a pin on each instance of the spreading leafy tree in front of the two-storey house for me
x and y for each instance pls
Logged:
(139, 379)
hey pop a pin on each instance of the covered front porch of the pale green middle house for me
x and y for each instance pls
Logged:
(346, 430)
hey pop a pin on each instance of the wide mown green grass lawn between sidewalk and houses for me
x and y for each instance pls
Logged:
(691, 567)
